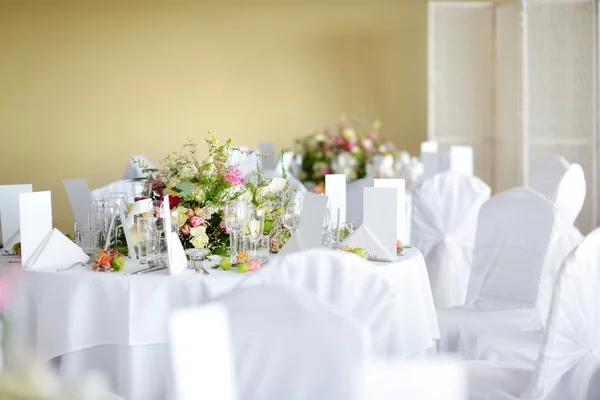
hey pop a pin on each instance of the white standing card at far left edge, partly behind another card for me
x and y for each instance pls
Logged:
(9, 213)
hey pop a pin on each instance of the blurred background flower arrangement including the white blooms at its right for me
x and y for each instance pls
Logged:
(357, 155)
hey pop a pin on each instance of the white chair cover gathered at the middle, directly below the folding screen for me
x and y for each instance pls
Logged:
(445, 212)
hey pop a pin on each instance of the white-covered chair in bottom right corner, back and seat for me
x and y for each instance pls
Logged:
(568, 355)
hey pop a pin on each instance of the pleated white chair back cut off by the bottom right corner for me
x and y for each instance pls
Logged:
(570, 352)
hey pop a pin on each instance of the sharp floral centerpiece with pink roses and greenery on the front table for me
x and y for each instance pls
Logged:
(199, 190)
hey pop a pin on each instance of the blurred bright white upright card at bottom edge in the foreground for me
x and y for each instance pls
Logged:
(212, 357)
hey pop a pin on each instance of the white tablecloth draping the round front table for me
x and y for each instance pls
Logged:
(117, 324)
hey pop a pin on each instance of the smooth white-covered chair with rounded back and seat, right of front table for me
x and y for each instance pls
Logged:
(508, 286)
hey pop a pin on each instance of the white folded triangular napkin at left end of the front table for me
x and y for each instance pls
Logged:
(56, 250)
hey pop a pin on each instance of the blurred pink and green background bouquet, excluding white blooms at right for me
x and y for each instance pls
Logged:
(341, 151)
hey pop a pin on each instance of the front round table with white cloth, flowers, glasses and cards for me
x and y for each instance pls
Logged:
(196, 230)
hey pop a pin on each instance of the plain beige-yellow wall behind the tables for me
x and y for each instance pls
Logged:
(84, 85)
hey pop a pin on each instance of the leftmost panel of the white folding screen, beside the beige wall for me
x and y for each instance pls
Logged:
(460, 75)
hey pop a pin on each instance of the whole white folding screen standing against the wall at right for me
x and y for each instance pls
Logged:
(542, 87)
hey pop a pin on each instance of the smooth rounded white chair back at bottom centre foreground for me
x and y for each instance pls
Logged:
(289, 345)
